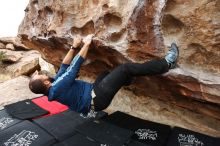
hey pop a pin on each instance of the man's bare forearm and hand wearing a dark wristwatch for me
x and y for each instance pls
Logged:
(69, 56)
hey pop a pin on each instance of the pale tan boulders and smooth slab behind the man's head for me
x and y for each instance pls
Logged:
(17, 63)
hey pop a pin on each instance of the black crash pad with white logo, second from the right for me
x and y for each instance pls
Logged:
(146, 132)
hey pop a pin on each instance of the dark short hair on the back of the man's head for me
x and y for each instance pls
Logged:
(37, 86)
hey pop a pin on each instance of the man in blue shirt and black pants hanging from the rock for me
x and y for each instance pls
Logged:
(82, 96)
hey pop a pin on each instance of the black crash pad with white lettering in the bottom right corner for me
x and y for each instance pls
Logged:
(184, 137)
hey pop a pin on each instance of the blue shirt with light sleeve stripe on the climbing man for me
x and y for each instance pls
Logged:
(76, 94)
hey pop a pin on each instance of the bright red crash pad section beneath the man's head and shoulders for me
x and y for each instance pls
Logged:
(53, 107)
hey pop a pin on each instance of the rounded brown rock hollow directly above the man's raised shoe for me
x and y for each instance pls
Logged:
(171, 25)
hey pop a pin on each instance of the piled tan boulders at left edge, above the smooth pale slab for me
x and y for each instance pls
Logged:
(16, 59)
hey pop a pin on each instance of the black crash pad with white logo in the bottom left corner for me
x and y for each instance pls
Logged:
(25, 134)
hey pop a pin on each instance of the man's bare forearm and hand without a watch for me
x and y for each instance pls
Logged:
(84, 50)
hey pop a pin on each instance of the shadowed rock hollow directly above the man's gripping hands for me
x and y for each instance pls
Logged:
(87, 29)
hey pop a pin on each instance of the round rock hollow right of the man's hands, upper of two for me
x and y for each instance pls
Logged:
(112, 22)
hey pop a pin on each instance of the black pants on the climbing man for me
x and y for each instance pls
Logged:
(107, 84)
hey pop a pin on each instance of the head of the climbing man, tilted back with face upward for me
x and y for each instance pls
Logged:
(40, 82)
